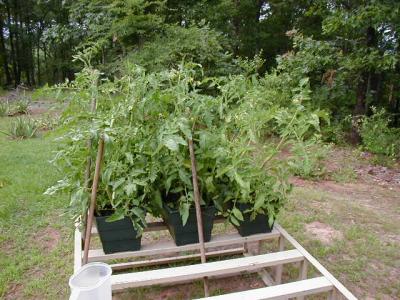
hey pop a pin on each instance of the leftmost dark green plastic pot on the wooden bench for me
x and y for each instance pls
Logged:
(117, 236)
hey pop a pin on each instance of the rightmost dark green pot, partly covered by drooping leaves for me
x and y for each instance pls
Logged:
(248, 227)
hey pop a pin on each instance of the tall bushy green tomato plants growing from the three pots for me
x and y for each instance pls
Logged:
(146, 121)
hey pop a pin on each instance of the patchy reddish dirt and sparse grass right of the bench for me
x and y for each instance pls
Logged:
(352, 228)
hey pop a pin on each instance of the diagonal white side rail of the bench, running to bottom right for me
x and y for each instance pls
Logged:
(339, 286)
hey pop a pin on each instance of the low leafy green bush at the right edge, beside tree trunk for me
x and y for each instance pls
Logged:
(377, 136)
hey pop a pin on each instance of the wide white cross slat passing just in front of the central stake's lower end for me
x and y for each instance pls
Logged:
(198, 271)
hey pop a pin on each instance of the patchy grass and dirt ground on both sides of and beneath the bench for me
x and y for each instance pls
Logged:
(351, 225)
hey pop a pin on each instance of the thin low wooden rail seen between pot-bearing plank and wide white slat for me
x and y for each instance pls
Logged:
(168, 260)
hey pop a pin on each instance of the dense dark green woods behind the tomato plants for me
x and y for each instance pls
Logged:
(349, 50)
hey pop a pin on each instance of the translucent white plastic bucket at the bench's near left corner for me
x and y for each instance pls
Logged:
(91, 282)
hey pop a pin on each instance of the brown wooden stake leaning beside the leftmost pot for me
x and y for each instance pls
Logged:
(93, 196)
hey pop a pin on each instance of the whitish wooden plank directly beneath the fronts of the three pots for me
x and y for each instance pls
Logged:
(167, 247)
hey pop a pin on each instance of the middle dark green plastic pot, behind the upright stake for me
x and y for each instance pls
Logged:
(188, 234)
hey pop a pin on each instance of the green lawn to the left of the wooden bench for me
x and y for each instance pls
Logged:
(28, 267)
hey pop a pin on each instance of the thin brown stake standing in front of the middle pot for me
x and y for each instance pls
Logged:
(198, 213)
